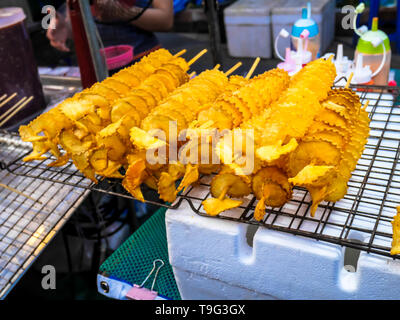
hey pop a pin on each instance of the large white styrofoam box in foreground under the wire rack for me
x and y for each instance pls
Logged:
(212, 260)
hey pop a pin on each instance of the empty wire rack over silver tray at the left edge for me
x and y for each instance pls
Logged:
(29, 221)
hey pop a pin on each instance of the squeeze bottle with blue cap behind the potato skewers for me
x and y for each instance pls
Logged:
(308, 24)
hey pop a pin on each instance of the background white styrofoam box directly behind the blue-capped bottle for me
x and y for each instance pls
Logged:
(286, 12)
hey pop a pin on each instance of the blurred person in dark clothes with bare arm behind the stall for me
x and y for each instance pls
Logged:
(120, 22)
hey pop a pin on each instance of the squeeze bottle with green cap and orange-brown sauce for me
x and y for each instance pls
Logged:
(374, 45)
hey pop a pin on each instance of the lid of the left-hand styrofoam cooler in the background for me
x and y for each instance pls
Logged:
(249, 8)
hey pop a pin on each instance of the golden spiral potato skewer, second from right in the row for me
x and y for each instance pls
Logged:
(277, 130)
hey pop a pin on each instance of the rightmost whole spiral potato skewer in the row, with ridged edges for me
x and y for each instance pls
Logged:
(335, 140)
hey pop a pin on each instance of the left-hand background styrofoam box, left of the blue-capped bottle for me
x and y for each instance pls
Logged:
(248, 28)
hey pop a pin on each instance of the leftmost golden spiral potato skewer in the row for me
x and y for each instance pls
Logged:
(86, 112)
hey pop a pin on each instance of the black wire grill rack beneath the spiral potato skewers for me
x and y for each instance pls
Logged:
(362, 220)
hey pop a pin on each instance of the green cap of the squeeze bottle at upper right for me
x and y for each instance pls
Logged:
(368, 40)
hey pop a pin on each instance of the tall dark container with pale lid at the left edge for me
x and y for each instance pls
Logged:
(19, 72)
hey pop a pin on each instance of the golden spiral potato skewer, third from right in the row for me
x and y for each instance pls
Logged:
(267, 87)
